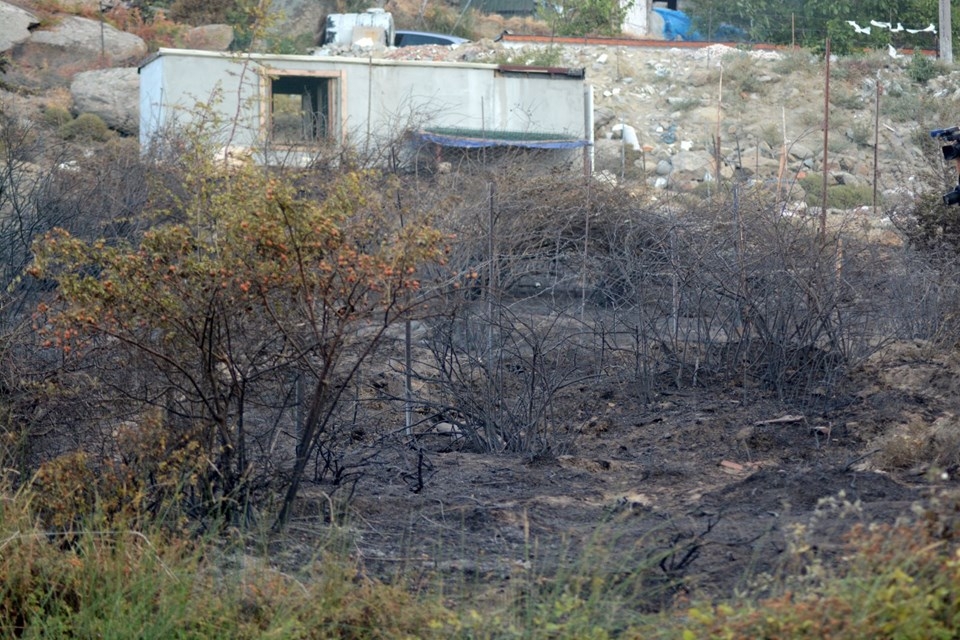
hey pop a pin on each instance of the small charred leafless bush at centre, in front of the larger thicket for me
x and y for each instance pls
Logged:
(500, 373)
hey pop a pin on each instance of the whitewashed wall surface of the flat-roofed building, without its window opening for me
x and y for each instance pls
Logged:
(378, 98)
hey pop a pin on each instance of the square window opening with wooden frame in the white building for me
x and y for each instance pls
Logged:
(300, 110)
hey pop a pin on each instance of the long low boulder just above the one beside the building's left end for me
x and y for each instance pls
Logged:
(83, 38)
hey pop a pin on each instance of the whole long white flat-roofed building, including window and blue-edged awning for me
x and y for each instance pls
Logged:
(286, 108)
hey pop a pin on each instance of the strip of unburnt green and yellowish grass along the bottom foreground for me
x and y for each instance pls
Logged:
(103, 578)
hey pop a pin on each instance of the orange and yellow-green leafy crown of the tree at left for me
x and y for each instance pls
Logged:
(249, 244)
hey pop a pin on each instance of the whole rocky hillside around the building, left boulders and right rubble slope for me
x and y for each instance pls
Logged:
(659, 111)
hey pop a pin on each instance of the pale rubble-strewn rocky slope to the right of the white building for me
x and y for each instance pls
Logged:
(758, 104)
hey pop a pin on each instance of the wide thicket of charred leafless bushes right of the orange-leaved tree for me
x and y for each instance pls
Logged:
(728, 291)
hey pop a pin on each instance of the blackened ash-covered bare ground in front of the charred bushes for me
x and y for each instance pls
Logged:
(700, 489)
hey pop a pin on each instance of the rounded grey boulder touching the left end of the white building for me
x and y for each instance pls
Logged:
(112, 94)
